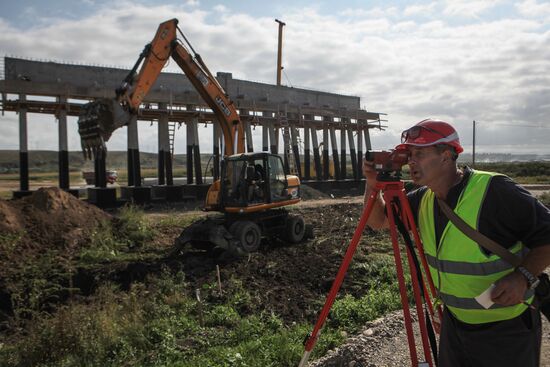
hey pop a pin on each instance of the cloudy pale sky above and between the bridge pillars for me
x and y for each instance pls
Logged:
(459, 60)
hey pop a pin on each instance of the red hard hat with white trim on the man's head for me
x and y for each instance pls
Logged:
(430, 132)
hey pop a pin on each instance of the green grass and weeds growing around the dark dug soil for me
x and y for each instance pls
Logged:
(160, 321)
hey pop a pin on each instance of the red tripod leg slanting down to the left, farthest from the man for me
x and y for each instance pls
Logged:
(310, 342)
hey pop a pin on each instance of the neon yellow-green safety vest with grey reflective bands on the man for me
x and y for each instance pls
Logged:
(459, 268)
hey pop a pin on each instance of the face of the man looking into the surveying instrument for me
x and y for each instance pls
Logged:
(425, 164)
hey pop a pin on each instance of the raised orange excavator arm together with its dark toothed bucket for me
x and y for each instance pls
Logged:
(100, 118)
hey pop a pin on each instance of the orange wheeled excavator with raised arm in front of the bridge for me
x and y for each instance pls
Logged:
(253, 189)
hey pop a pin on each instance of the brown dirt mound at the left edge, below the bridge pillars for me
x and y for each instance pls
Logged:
(49, 217)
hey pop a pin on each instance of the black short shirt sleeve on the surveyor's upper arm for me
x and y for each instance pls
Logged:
(511, 214)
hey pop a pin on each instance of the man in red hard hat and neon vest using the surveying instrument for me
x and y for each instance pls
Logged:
(508, 332)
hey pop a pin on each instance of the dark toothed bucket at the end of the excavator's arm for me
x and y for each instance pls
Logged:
(96, 122)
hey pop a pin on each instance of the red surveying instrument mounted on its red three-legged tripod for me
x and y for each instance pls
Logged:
(388, 165)
